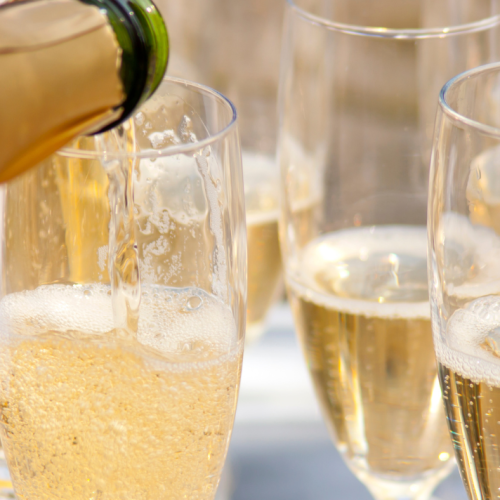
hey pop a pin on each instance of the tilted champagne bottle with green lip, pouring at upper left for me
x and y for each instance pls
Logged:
(71, 67)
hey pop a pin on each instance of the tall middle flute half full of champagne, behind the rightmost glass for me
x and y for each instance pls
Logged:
(357, 104)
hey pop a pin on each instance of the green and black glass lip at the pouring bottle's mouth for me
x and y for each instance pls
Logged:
(142, 36)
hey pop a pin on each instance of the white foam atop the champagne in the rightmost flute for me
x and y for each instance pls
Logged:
(462, 348)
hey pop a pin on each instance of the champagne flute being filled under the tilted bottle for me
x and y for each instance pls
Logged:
(123, 306)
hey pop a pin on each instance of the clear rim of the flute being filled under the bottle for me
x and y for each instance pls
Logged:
(187, 148)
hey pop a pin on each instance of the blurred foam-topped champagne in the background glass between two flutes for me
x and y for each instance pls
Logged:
(264, 258)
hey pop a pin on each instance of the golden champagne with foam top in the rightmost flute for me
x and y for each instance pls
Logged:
(469, 369)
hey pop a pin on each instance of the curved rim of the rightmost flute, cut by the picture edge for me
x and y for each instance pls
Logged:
(454, 115)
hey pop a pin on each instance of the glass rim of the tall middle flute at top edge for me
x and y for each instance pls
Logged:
(389, 33)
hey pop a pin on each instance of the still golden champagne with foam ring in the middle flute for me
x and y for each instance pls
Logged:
(360, 302)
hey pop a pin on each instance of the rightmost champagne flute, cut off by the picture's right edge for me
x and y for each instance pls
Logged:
(464, 271)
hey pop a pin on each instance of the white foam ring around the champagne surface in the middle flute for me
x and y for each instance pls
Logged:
(358, 243)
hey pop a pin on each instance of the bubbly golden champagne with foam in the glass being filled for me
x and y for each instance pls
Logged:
(88, 414)
